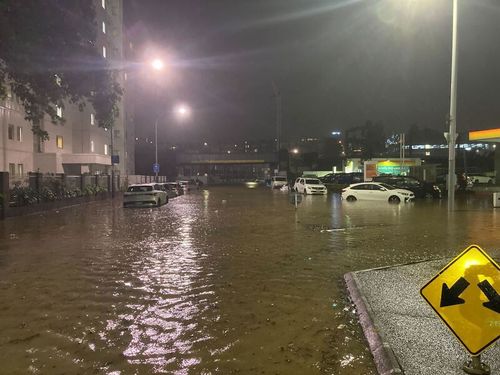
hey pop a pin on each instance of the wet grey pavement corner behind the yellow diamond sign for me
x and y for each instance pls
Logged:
(404, 334)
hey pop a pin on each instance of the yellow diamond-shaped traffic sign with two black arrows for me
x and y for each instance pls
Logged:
(465, 295)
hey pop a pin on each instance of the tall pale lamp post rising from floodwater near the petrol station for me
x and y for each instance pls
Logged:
(452, 134)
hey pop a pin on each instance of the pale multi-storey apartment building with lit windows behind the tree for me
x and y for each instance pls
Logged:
(78, 145)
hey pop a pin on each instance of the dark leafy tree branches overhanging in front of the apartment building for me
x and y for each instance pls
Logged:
(48, 55)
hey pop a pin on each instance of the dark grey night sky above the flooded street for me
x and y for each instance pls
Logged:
(336, 63)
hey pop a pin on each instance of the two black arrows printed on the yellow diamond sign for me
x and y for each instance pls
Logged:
(451, 296)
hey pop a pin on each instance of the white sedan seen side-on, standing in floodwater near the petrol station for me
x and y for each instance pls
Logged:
(376, 191)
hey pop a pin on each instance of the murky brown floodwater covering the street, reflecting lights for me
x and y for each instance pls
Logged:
(227, 280)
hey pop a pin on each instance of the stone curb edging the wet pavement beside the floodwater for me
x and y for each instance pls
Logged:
(383, 355)
